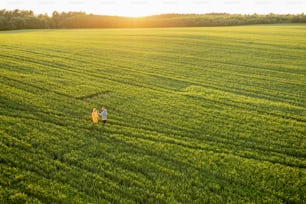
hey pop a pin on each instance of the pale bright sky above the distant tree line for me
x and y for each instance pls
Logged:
(137, 8)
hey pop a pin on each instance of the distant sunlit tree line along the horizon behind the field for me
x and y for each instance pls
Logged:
(25, 19)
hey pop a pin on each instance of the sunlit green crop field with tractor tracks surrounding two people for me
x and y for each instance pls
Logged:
(195, 115)
